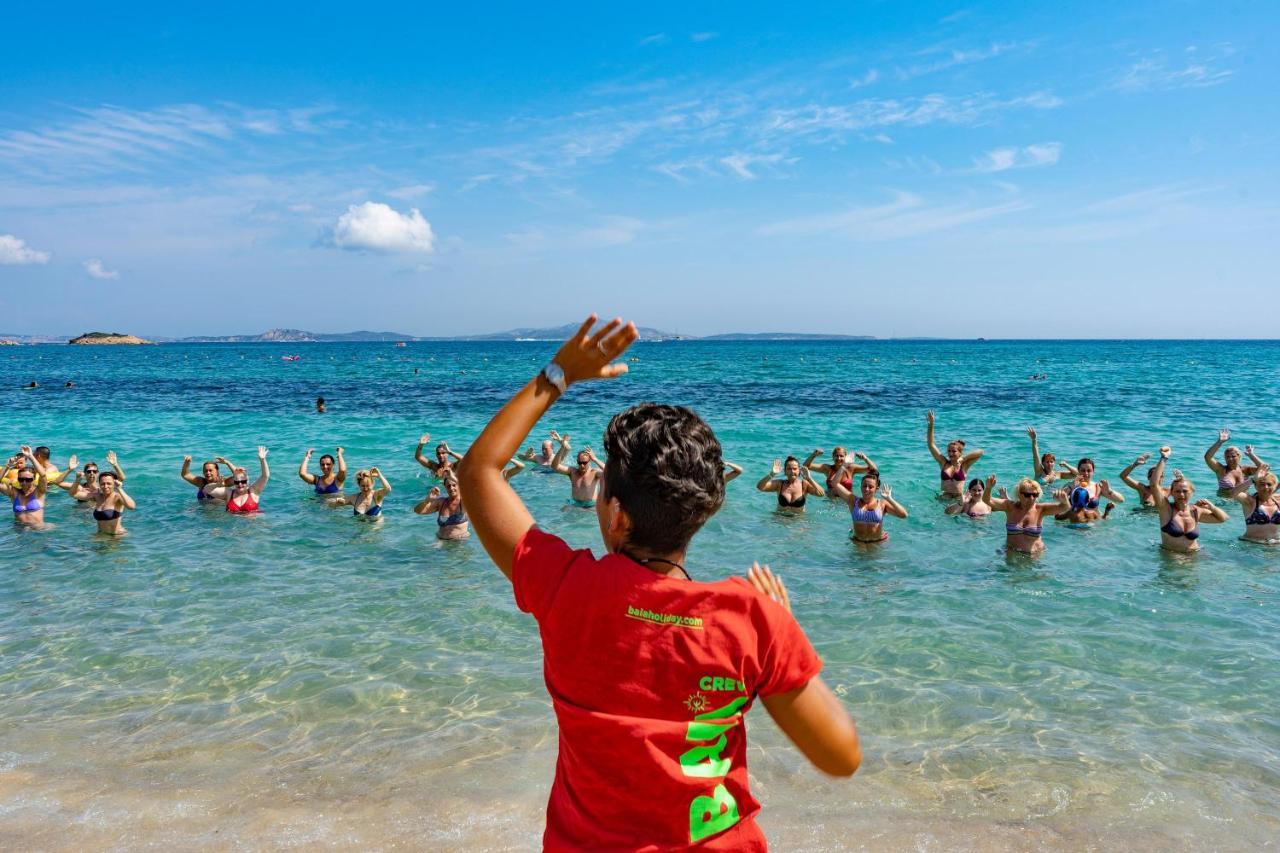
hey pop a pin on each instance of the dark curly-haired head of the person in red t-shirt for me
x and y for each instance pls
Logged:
(666, 469)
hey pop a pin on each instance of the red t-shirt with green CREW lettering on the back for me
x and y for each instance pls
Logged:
(651, 678)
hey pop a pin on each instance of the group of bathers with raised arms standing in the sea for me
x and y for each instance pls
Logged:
(1054, 490)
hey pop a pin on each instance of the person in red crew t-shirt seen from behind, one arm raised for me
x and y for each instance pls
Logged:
(651, 673)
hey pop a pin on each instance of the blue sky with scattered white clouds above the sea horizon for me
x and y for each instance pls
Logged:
(866, 168)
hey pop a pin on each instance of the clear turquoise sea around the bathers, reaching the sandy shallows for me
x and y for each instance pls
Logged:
(300, 678)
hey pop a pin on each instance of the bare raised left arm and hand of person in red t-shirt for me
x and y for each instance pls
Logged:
(499, 517)
